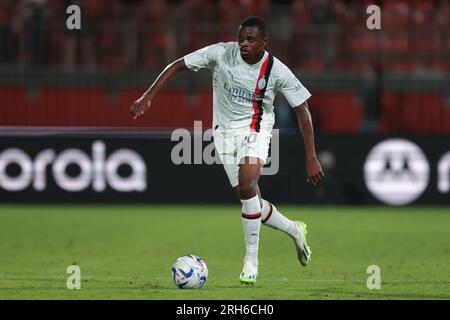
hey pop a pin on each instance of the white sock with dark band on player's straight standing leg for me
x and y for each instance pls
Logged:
(251, 223)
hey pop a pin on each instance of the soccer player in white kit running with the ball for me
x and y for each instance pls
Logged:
(245, 80)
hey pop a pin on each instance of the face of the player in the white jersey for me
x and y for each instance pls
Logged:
(251, 44)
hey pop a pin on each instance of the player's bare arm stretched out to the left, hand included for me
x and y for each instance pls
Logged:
(143, 103)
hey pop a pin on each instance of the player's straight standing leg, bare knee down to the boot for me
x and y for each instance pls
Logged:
(249, 172)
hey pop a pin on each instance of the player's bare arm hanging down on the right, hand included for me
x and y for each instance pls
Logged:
(313, 169)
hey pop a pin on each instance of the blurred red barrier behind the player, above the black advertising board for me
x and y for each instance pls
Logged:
(333, 111)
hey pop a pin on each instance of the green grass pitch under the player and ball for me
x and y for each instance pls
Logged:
(126, 252)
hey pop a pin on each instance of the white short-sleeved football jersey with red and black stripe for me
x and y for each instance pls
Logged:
(239, 86)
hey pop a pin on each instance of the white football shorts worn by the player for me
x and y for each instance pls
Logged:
(233, 148)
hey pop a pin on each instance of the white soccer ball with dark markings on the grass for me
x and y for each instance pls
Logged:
(189, 272)
